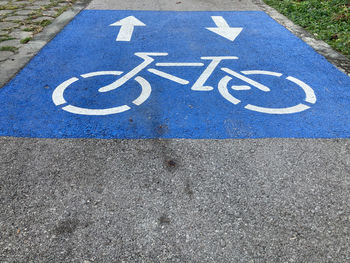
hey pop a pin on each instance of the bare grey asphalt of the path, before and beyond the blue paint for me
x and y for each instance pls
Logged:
(253, 200)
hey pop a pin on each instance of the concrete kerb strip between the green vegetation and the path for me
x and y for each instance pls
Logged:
(321, 47)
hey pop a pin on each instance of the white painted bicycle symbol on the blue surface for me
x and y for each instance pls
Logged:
(58, 93)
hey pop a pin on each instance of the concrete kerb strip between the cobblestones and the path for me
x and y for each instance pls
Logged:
(15, 63)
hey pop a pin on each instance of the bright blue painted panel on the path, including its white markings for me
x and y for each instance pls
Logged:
(147, 74)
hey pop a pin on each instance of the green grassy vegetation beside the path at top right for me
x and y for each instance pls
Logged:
(328, 20)
